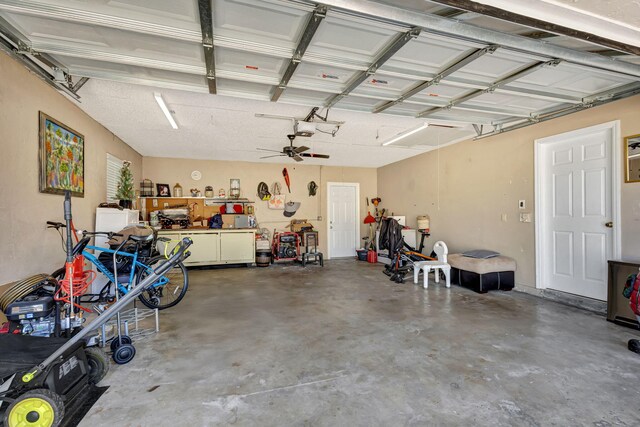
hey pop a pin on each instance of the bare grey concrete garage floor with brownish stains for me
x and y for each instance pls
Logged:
(343, 346)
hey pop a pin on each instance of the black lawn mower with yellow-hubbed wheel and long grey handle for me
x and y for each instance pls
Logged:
(40, 377)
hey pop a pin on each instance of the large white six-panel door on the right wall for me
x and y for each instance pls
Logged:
(576, 204)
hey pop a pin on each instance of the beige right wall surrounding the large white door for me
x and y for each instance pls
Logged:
(466, 187)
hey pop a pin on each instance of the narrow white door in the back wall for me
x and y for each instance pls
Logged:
(343, 220)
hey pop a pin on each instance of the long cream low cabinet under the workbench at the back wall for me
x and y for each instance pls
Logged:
(214, 247)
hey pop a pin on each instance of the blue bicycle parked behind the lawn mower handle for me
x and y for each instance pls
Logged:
(135, 258)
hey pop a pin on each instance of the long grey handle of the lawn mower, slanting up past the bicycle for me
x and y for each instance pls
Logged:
(179, 255)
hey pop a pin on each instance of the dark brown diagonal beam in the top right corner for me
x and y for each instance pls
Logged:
(494, 12)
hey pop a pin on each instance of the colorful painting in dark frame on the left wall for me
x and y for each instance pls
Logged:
(61, 158)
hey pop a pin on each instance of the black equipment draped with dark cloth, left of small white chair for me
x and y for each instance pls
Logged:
(401, 254)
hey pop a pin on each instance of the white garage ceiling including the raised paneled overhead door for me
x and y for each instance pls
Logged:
(382, 68)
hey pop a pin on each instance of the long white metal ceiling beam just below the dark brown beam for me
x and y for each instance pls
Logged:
(460, 30)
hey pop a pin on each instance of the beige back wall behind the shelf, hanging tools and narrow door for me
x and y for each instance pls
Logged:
(218, 173)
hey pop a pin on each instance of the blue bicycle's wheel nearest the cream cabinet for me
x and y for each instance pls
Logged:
(169, 294)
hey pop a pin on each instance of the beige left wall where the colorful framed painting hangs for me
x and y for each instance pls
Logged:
(27, 247)
